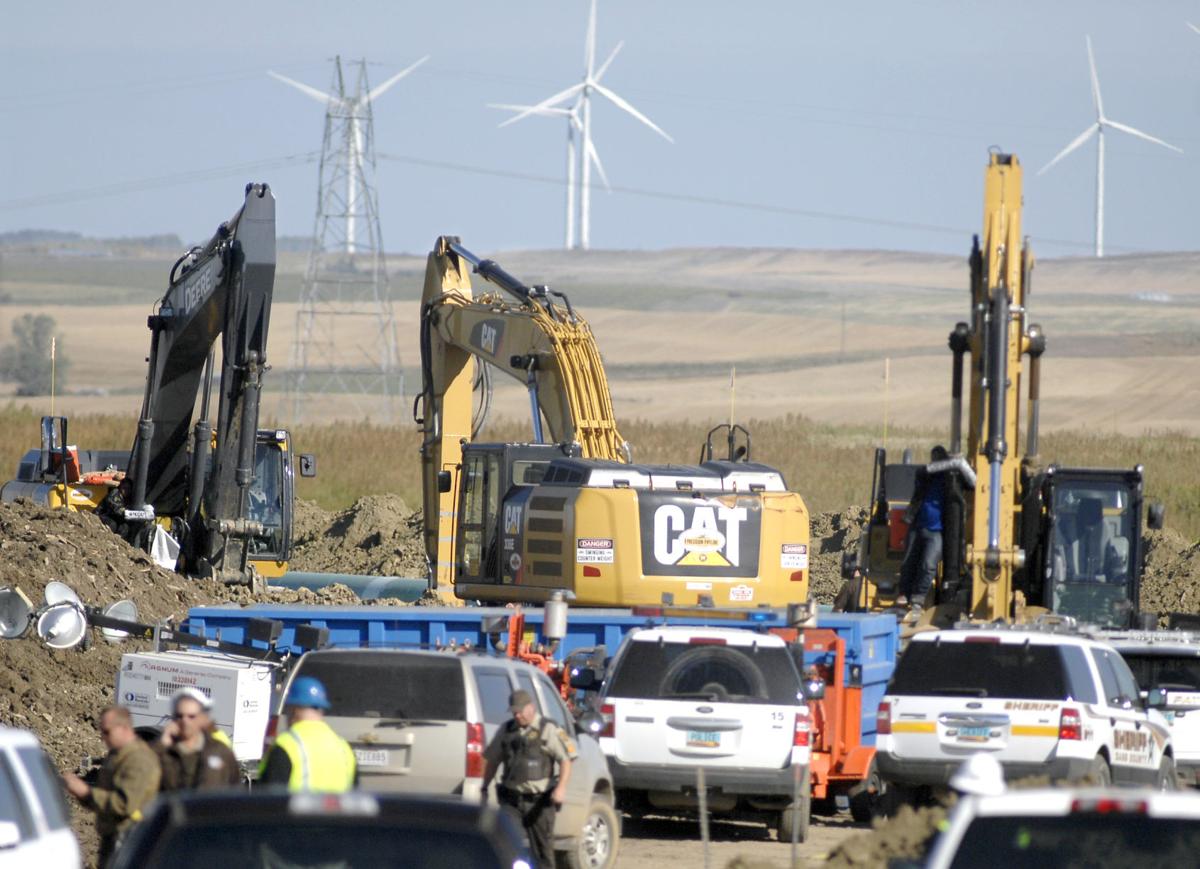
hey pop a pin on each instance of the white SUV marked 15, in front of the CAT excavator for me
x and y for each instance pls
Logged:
(728, 702)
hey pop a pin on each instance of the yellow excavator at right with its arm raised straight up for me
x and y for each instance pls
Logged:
(1021, 538)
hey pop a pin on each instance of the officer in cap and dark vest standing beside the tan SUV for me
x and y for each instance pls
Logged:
(529, 747)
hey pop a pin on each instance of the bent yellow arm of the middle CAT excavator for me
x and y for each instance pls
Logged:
(524, 333)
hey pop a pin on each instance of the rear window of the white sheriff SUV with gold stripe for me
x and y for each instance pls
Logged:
(1013, 672)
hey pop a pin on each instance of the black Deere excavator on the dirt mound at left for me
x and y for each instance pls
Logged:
(212, 499)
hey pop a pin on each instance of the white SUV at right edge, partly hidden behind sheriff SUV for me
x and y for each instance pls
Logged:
(1171, 662)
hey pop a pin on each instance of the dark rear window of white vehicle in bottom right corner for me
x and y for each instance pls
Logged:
(1115, 841)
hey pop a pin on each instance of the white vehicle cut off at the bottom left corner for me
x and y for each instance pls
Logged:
(35, 823)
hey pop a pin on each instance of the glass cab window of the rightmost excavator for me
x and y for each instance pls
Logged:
(1091, 556)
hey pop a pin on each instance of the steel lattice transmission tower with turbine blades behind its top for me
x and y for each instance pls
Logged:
(346, 333)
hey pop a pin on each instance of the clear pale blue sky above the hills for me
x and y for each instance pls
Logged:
(860, 125)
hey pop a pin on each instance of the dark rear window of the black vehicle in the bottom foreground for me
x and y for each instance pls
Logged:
(321, 846)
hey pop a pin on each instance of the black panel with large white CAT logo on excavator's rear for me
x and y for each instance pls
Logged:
(699, 537)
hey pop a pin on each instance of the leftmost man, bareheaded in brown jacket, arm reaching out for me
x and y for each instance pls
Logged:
(128, 781)
